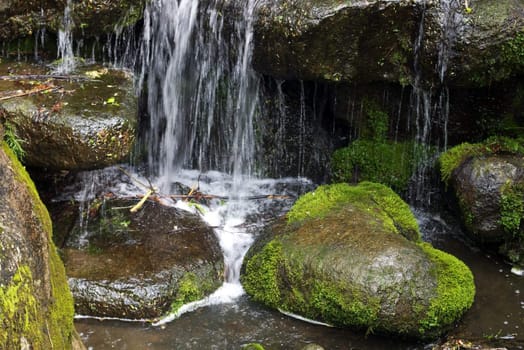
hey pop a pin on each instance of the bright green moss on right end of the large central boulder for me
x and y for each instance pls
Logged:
(455, 291)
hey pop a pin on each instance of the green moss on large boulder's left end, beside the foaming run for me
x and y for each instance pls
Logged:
(261, 277)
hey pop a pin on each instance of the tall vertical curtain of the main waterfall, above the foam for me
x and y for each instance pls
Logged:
(202, 92)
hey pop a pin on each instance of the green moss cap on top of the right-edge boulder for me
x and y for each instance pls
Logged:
(455, 156)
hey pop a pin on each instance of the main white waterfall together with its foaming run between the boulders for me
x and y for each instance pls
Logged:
(202, 102)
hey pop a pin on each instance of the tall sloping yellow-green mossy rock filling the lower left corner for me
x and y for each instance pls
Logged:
(36, 306)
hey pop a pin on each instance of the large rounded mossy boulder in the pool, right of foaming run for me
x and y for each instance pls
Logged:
(343, 258)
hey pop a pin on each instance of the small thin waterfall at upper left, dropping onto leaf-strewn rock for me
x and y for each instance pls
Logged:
(65, 42)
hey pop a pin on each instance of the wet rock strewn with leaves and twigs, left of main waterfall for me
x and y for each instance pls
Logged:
(85, 122)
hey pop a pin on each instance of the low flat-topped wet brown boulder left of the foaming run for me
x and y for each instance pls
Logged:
(138, 265)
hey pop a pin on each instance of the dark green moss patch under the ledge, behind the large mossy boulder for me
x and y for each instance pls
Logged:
(388, 163)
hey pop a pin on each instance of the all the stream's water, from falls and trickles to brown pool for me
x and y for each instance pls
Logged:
(203, 99)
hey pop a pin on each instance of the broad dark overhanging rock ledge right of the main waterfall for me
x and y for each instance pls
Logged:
(363, 41)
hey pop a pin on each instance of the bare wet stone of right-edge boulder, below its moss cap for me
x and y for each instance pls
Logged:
(490, 193)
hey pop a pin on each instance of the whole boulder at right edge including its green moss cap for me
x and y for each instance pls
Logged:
(487, 182)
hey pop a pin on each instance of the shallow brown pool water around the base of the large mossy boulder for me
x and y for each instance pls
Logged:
(496, 318)
